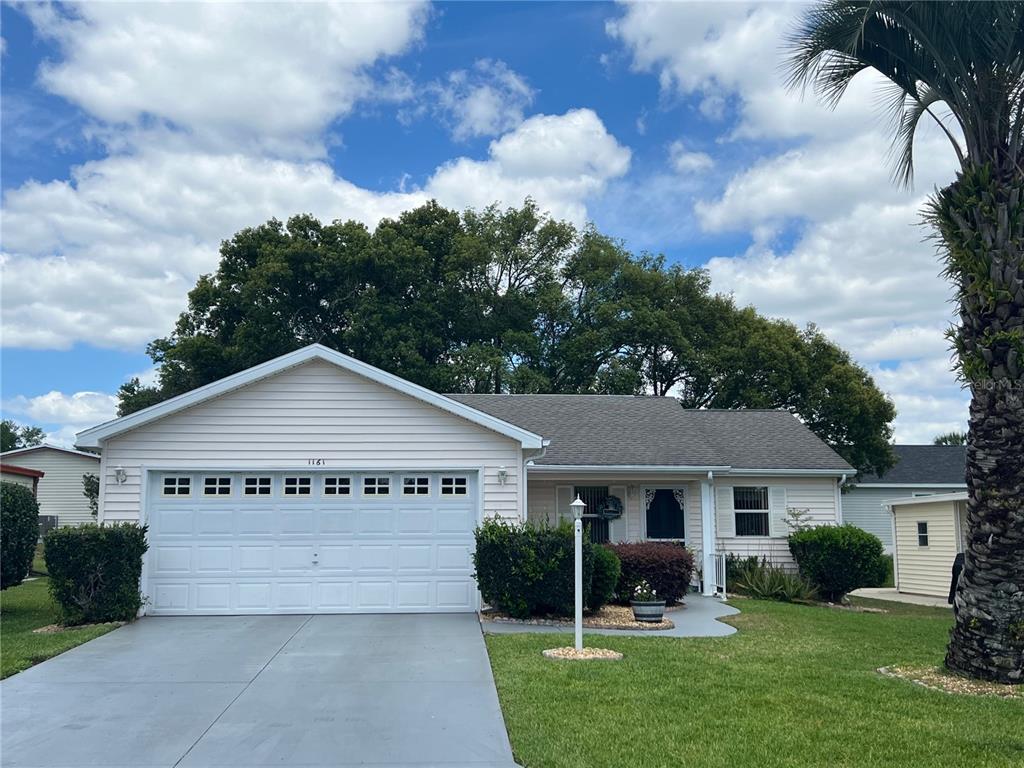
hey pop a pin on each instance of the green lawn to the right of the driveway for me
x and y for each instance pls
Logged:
(795, 688)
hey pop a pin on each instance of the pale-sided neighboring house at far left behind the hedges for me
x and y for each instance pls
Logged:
(60, 493)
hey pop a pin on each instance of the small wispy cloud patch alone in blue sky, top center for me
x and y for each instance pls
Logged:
(486, 101)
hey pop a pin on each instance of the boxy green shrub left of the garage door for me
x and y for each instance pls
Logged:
(96, 571)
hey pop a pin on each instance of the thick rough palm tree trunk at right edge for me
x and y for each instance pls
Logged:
(982, 222)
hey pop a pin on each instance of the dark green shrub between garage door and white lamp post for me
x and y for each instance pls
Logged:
(527, 571)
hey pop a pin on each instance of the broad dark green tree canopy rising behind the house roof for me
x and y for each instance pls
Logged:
(509, 302)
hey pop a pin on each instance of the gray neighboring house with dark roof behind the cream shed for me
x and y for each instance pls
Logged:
(920, 471)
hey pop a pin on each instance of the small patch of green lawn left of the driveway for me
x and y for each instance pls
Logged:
(25, 609)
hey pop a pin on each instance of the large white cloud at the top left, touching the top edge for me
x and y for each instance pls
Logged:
(230, 75)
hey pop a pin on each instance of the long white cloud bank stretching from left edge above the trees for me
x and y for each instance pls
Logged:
(108, 258)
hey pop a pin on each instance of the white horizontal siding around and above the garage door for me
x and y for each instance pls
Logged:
(314, 412)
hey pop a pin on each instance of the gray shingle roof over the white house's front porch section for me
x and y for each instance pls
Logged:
(623, 431)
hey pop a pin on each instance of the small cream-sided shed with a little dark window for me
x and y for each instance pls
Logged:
(929, 533)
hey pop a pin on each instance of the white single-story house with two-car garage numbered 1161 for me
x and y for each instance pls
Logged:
(315, 483)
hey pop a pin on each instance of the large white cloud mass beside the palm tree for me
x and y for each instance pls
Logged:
(835, 241)
